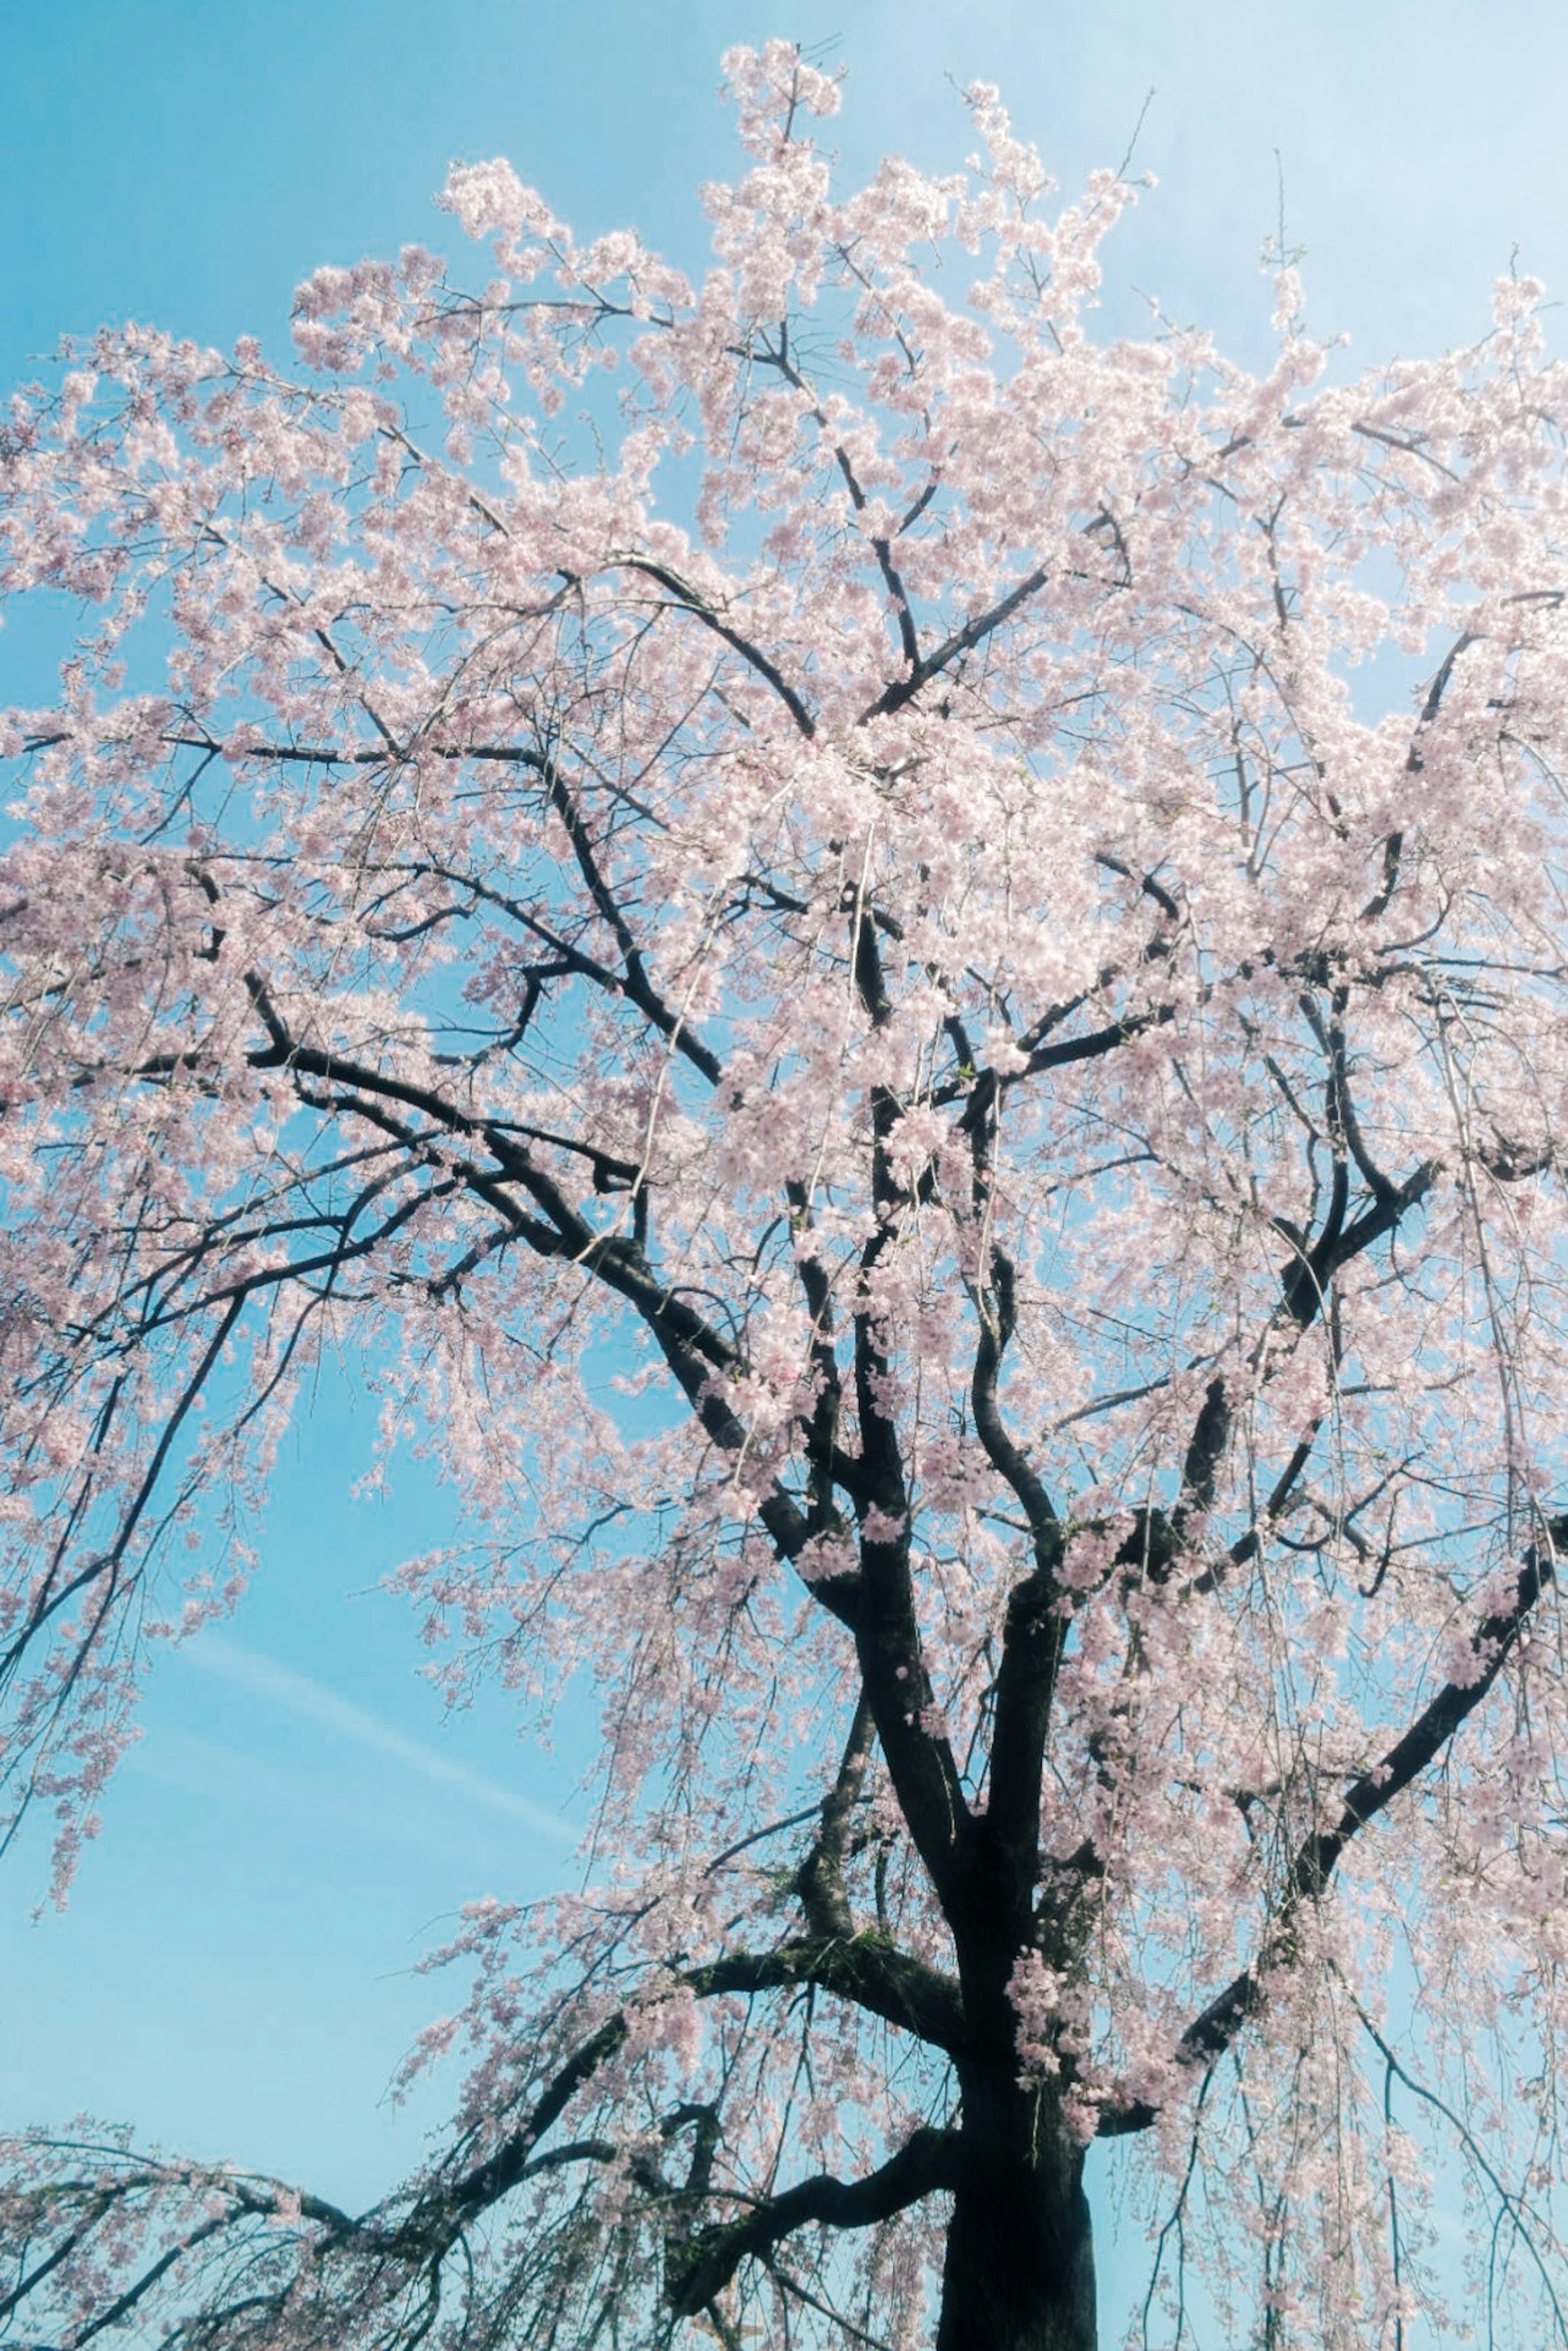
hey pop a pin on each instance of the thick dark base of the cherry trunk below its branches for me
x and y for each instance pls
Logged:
(1019, 2270)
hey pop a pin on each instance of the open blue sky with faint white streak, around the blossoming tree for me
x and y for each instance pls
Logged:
(234, 1971)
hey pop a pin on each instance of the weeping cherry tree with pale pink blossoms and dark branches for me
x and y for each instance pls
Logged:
(902, 982)
